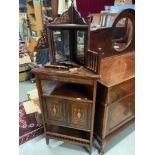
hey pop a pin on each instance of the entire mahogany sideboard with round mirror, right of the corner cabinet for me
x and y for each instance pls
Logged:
(111, 55)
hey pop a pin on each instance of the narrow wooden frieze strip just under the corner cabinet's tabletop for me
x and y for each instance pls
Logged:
(65, 79)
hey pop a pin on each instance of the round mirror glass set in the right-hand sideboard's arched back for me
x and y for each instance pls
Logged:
(122, 34)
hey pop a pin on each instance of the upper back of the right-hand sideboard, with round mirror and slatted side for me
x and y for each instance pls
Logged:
(115, 39)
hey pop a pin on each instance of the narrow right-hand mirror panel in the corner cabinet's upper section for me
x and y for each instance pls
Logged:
(80, 46)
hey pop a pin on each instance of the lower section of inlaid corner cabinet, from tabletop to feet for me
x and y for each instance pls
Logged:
(68, 104)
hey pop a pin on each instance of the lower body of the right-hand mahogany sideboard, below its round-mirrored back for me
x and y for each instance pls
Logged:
(115, 101)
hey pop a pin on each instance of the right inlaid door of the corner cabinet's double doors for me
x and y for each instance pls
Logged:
(80, 115)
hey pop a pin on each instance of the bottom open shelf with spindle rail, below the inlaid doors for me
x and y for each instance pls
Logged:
(68, 135)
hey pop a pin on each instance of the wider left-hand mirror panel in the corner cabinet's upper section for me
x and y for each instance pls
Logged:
(61, 45)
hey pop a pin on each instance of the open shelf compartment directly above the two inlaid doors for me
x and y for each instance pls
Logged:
(70, 91)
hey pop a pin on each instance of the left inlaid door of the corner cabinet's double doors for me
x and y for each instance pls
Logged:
(55, 111)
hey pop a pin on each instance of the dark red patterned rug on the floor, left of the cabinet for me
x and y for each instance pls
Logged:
(28, 126)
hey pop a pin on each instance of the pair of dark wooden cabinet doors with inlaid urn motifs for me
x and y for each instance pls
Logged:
(64, 112)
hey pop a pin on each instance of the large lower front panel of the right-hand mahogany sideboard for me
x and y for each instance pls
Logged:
(120, 112)
